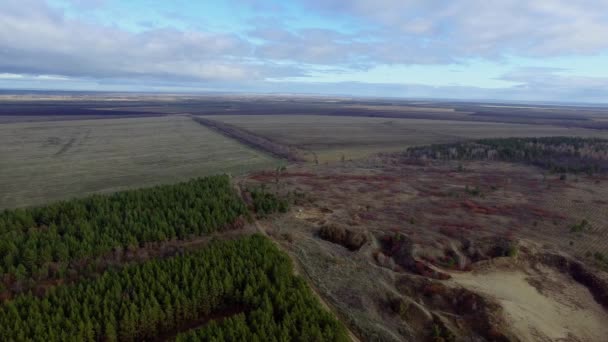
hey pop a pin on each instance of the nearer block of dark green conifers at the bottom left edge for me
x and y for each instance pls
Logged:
(240, 290)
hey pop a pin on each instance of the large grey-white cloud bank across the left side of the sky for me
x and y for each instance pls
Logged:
(38, 39)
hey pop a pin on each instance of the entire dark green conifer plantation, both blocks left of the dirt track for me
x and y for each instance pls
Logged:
(229, 290)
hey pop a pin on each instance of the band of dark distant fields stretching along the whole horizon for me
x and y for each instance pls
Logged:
(44, 104)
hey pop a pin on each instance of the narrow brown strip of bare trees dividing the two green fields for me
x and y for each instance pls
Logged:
(253, 140)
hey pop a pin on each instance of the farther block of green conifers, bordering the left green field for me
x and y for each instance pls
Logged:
(39, 243)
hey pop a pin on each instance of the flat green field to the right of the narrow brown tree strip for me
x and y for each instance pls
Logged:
(333, 136)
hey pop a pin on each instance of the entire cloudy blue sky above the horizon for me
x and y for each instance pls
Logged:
(516, 50)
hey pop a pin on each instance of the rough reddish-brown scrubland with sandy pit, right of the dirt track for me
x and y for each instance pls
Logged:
(448, 250)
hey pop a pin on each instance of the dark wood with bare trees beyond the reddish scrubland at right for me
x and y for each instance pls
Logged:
(557, 154)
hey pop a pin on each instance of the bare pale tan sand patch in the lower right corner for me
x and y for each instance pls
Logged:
(542, 304)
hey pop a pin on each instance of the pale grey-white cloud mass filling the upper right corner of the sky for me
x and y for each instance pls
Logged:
(481, 28)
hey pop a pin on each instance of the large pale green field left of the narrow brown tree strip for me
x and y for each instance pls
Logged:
(46, 161)
